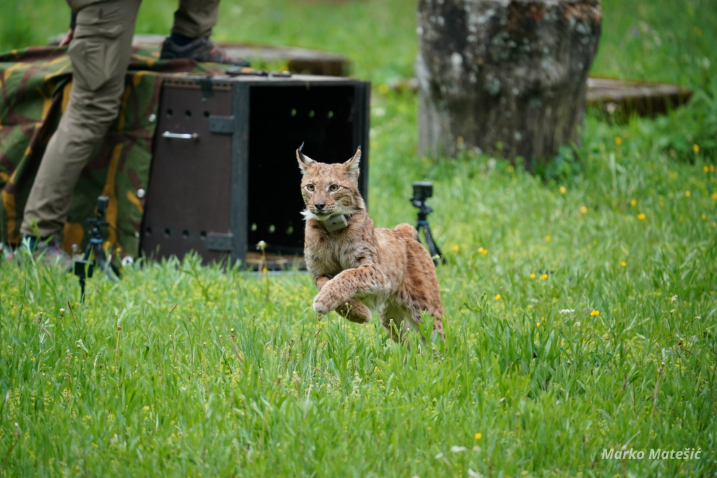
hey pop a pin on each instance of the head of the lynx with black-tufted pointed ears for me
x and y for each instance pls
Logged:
(330, 189)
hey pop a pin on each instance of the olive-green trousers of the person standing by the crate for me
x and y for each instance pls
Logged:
(100, 52)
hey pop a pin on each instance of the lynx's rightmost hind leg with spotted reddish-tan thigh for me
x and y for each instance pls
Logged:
(420, 292)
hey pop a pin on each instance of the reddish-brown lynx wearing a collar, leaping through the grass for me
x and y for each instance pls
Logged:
(357, 267)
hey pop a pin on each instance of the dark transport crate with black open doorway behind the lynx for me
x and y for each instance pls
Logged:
(224, 174)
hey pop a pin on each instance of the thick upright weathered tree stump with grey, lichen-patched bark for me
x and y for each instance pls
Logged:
(503, 75)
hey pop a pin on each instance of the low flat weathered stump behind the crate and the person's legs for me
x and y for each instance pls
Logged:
(298, 60)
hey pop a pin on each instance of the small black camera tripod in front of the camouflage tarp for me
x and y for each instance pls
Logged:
(94, 252)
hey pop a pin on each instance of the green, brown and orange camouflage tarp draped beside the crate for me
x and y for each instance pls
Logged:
(35, 88)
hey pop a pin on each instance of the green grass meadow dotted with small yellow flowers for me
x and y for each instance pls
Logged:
(581, 306)
